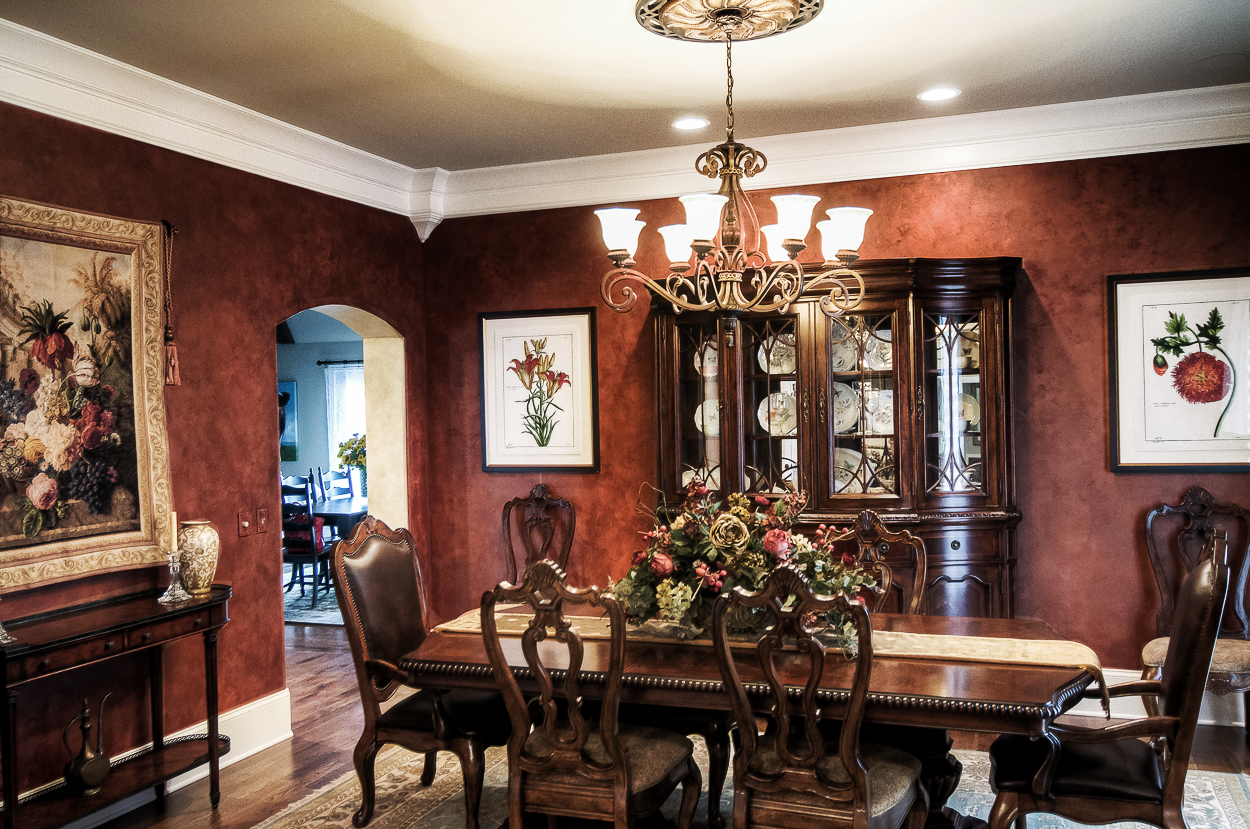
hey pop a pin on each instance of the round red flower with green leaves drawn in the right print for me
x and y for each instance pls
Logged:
(1199, 376)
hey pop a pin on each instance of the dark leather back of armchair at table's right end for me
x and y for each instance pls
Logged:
(1196, 627)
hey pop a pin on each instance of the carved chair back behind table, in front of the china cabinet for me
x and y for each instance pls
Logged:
(898, 561)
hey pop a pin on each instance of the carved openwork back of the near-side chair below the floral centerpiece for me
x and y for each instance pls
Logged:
(792, 656)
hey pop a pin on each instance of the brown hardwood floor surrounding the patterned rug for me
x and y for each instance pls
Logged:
(327, 722)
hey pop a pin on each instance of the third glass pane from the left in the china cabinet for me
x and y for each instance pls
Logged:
(858, 407)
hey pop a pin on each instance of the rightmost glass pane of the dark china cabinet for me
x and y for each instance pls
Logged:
(954, 403)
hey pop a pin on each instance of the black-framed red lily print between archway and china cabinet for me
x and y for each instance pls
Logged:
(539, 392)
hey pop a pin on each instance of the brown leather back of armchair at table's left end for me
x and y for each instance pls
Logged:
(382, 598)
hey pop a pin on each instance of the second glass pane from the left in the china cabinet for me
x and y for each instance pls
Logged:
(771, 413)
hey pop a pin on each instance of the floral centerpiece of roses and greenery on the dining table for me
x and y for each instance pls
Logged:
(712, 546)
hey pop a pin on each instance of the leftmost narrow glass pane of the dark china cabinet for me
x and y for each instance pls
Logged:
(699, 404)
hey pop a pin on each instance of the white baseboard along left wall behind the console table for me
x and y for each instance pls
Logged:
(252, 728)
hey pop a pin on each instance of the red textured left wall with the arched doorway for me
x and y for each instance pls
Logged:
(249, 254)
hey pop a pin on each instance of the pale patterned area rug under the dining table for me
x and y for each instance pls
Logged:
(1213, 801)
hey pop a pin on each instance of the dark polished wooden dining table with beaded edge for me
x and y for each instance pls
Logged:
(927, 698)
